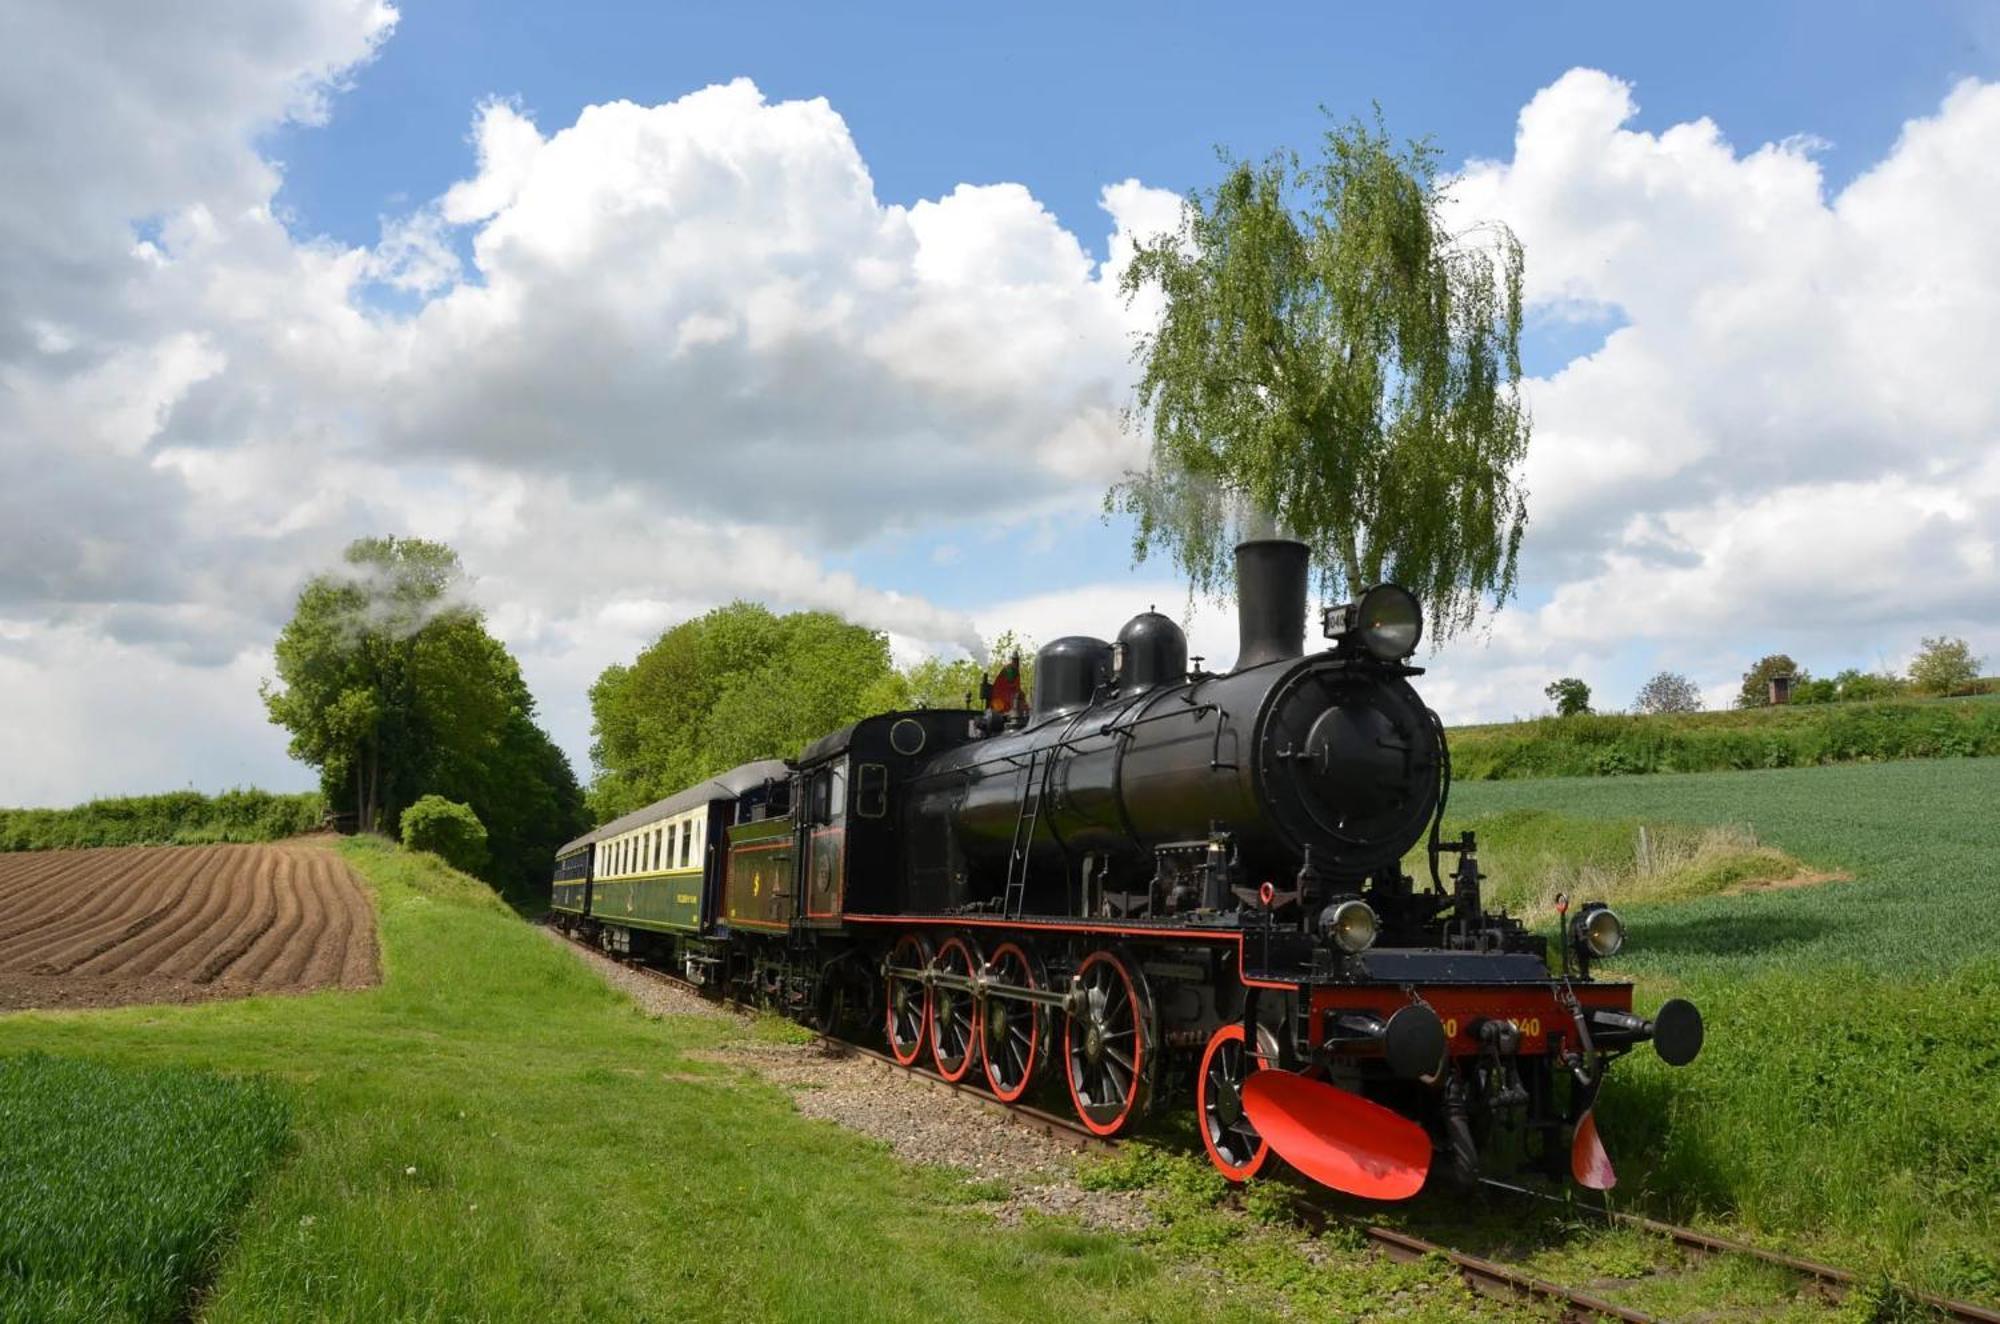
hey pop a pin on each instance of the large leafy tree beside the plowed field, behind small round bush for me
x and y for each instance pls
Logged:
(393, 689)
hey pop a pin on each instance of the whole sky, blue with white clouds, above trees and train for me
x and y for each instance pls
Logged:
(283, 273)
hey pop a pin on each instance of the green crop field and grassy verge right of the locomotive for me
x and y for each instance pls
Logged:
(1849, 1097)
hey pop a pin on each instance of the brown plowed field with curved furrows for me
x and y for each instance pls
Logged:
(181, 925)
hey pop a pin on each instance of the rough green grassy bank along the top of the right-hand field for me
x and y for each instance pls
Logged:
(1791, 737)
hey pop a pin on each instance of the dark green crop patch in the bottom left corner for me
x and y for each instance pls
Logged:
(121, 1185)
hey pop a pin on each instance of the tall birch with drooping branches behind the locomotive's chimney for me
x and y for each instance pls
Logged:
(1335, 363)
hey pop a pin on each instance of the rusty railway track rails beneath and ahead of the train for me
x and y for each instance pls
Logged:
(1487, 1277)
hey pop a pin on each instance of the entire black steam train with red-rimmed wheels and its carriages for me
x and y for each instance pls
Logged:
(1157, 883)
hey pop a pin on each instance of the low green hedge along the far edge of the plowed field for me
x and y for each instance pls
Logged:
(177, 819)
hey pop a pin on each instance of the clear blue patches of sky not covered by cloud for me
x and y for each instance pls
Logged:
(1067, 99)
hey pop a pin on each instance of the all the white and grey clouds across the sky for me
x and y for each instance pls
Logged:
(695, 357)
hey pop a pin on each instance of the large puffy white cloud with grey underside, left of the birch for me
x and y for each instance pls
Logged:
(705, 301)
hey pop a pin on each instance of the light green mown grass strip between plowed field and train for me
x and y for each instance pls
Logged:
(495, 1135)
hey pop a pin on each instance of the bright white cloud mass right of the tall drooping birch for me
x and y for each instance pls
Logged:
(1791, 441)
